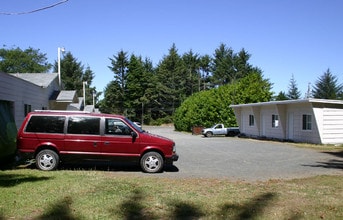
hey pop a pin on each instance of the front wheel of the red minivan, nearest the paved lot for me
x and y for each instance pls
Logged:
(152, 162)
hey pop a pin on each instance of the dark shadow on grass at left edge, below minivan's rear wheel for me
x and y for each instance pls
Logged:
(11, 180)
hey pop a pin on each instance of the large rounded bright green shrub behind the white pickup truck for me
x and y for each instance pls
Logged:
(206, 108)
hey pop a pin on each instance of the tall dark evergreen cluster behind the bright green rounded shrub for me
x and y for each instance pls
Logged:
(152, 94)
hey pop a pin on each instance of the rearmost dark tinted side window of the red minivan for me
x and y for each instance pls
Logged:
(45, 124)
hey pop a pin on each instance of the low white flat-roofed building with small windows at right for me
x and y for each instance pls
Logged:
(317, 121)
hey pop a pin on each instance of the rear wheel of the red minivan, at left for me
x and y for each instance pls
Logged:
(47, 160)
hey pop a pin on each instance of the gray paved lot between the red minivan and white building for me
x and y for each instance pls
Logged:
(244, 159)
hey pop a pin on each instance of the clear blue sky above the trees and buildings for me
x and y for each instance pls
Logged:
(284, 37)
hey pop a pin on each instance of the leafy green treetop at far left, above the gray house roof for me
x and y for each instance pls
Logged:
(30, 60)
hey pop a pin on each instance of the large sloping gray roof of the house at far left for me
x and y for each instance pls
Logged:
(39, 79)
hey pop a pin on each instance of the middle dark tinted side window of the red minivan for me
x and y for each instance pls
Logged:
(83, 125)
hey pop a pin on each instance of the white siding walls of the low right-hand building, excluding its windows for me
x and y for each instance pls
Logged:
(263, 124)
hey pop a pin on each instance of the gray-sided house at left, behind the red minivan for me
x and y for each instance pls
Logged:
(24, 92)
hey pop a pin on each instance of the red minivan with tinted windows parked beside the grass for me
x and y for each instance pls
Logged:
(50, 137)
